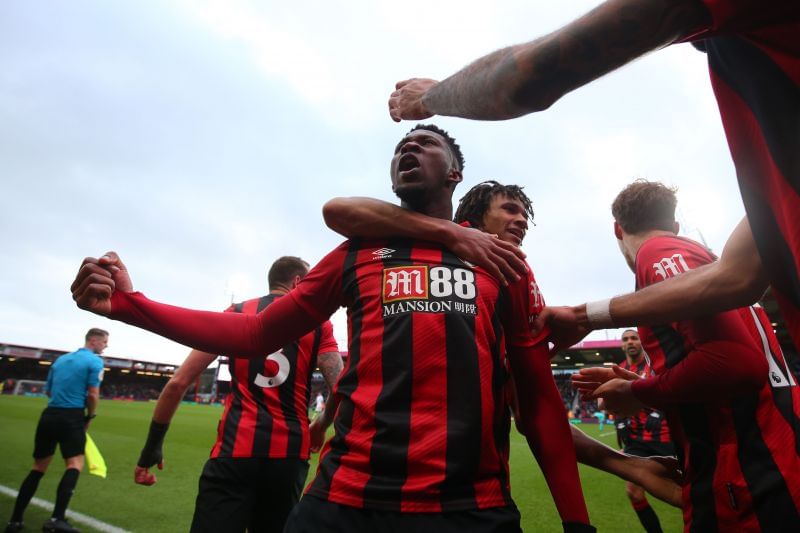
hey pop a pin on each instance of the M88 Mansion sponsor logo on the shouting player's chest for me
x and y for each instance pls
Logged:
(428, 289)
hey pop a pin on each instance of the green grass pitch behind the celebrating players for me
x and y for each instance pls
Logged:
(120, 430)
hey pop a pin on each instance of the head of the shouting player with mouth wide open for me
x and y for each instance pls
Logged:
(421, 164)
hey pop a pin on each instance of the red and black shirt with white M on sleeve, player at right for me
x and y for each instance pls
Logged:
(741, 453)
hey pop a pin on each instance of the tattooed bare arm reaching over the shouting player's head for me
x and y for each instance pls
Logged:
(530, 77)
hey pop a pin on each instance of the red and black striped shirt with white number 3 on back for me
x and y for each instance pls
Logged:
(266, 412)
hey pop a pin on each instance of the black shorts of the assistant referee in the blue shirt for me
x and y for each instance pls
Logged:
(61, 426)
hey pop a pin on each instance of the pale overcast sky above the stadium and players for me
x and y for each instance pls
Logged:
(200, 140)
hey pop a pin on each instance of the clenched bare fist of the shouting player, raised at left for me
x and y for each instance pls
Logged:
(96, 281)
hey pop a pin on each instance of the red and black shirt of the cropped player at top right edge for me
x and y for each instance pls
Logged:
(754, 60)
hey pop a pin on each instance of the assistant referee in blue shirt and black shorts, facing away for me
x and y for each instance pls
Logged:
(73, 386)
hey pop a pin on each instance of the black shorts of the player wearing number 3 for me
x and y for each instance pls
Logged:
(253, 493)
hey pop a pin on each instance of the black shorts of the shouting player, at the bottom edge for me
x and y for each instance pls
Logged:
(314, 515)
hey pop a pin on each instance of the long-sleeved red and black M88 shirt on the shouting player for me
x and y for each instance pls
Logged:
(423, 422)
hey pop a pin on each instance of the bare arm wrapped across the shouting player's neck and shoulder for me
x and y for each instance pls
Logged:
(369, 218)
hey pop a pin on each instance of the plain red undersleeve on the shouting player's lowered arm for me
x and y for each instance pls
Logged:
(544, 423)
